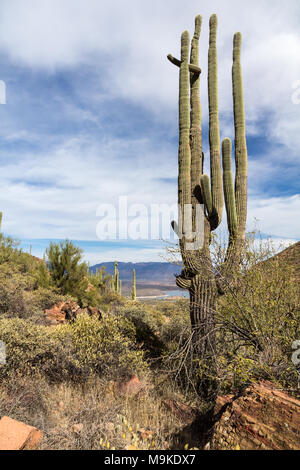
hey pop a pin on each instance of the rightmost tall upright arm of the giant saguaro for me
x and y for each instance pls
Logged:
(240, 137)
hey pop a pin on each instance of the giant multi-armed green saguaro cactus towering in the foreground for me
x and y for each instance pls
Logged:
(195, 188)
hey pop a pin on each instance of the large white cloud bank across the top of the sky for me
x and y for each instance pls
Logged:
(127, 43)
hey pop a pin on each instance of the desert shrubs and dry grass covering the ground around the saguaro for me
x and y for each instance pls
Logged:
(63, 378)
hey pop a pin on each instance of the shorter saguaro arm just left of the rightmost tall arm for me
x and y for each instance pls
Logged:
(229, 188)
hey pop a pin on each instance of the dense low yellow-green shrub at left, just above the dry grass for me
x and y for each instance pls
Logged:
(71, 351)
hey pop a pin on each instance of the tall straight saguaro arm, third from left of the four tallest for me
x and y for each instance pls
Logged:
(214, 129)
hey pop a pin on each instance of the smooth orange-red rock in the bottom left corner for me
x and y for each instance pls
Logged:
(15, 435)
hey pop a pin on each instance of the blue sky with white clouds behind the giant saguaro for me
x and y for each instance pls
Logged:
(91, 112)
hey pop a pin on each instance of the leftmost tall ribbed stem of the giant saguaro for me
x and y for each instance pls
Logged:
(184, 154)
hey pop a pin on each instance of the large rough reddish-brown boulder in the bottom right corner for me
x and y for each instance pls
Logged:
(262, 418)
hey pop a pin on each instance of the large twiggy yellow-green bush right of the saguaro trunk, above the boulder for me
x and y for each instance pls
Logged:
(259, 319)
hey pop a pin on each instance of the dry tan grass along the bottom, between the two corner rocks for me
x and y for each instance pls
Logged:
(91, 417)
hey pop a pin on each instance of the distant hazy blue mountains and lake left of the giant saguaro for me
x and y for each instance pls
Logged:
(151, 278)
